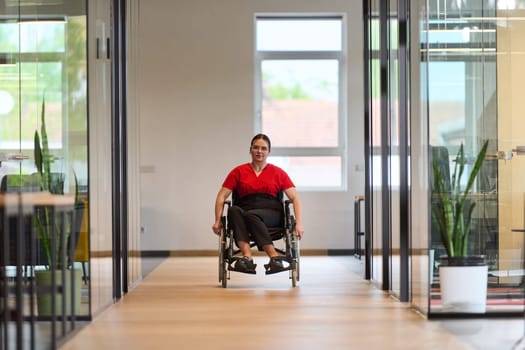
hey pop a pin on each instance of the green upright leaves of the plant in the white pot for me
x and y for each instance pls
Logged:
(451, 208)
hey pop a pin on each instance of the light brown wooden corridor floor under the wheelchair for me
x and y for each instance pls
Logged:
(181, 306)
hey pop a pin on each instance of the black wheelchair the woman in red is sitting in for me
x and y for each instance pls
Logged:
(289, 249)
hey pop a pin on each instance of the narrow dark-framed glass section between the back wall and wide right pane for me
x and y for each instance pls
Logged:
(387, 237)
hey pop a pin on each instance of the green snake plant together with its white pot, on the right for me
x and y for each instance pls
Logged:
(452, 208)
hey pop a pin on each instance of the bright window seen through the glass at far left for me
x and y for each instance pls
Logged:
(34, 70)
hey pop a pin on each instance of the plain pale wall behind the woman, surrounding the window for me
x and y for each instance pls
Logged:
(196, 107)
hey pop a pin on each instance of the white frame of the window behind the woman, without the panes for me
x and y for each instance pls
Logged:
(341, 57)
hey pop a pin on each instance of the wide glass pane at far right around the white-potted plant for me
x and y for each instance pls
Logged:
(472, 65)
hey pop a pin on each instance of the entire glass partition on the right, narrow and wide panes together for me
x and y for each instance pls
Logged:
(464, 91)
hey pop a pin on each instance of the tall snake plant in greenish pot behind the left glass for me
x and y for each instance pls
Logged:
(50, 226)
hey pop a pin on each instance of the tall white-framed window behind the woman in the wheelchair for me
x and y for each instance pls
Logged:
(299, 94)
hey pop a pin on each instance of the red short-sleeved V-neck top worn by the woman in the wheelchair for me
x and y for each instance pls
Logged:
(270, 181)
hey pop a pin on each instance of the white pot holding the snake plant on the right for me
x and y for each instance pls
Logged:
(464, 288)
